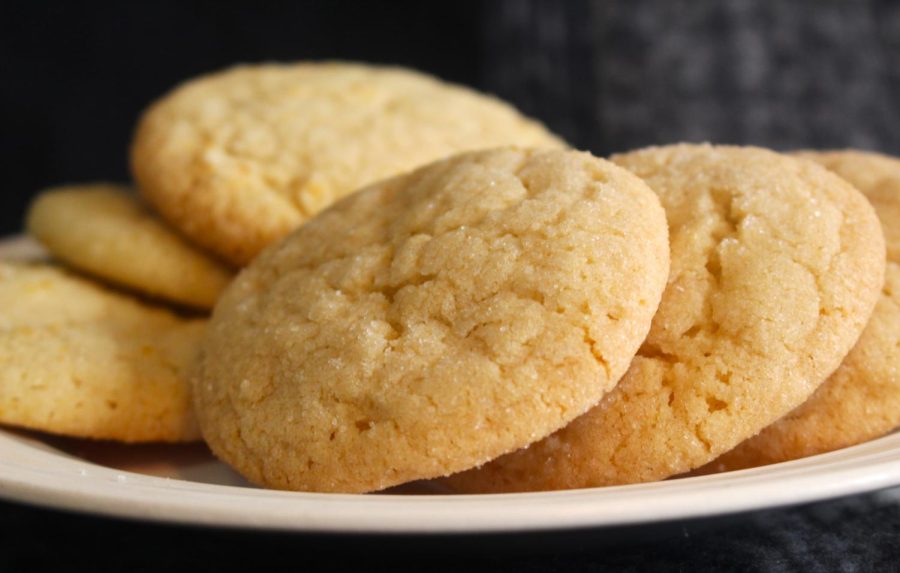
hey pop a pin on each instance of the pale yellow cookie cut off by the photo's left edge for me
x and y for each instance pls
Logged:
(84, 361)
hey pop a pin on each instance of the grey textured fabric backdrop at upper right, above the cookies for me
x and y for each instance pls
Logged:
(611, 76)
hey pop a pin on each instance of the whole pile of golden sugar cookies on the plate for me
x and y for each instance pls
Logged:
(433, 286)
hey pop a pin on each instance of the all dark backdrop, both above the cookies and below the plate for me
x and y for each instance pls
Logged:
(608, 76)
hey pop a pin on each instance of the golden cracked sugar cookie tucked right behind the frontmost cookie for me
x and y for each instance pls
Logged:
(776, 266)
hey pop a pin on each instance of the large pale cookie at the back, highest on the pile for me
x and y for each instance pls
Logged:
(237, 159)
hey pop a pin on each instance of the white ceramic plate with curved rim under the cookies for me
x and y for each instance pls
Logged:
(185, 484)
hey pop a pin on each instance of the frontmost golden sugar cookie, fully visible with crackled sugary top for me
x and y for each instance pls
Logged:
(433, 321)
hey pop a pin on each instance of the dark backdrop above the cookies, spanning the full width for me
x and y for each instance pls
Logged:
(606, 75)
